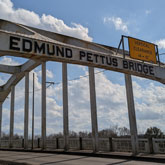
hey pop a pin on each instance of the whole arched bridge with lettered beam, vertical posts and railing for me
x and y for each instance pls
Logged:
(39, 46)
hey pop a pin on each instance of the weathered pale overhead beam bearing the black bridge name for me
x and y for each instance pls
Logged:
(91, 54)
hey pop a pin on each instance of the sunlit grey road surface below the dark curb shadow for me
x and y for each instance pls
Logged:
(25, 158)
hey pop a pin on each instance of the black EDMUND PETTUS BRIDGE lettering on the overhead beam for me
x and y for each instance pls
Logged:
(35, 47)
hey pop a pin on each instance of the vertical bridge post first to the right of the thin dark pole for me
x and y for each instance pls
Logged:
(43, 99)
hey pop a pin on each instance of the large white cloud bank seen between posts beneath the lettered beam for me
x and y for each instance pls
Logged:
(111, 105)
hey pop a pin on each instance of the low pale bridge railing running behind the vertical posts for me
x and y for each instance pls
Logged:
(105, 144)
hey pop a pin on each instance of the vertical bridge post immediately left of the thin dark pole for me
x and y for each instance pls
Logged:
(26, 111)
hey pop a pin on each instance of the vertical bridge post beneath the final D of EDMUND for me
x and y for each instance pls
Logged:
(65, 106)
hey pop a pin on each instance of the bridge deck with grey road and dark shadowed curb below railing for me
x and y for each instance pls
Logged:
(76, 157)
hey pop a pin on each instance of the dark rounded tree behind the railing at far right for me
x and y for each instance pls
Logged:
(154, 132)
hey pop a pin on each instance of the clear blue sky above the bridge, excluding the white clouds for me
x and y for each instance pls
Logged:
(144, 19)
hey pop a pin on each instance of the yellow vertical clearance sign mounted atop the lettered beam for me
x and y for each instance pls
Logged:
(142, 50)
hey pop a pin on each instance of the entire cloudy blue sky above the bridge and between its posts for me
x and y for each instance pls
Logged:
(97, 21)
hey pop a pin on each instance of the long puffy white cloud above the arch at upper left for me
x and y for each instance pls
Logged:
(48, 22)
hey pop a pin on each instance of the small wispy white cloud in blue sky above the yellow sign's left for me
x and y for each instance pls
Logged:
(118, 23)
